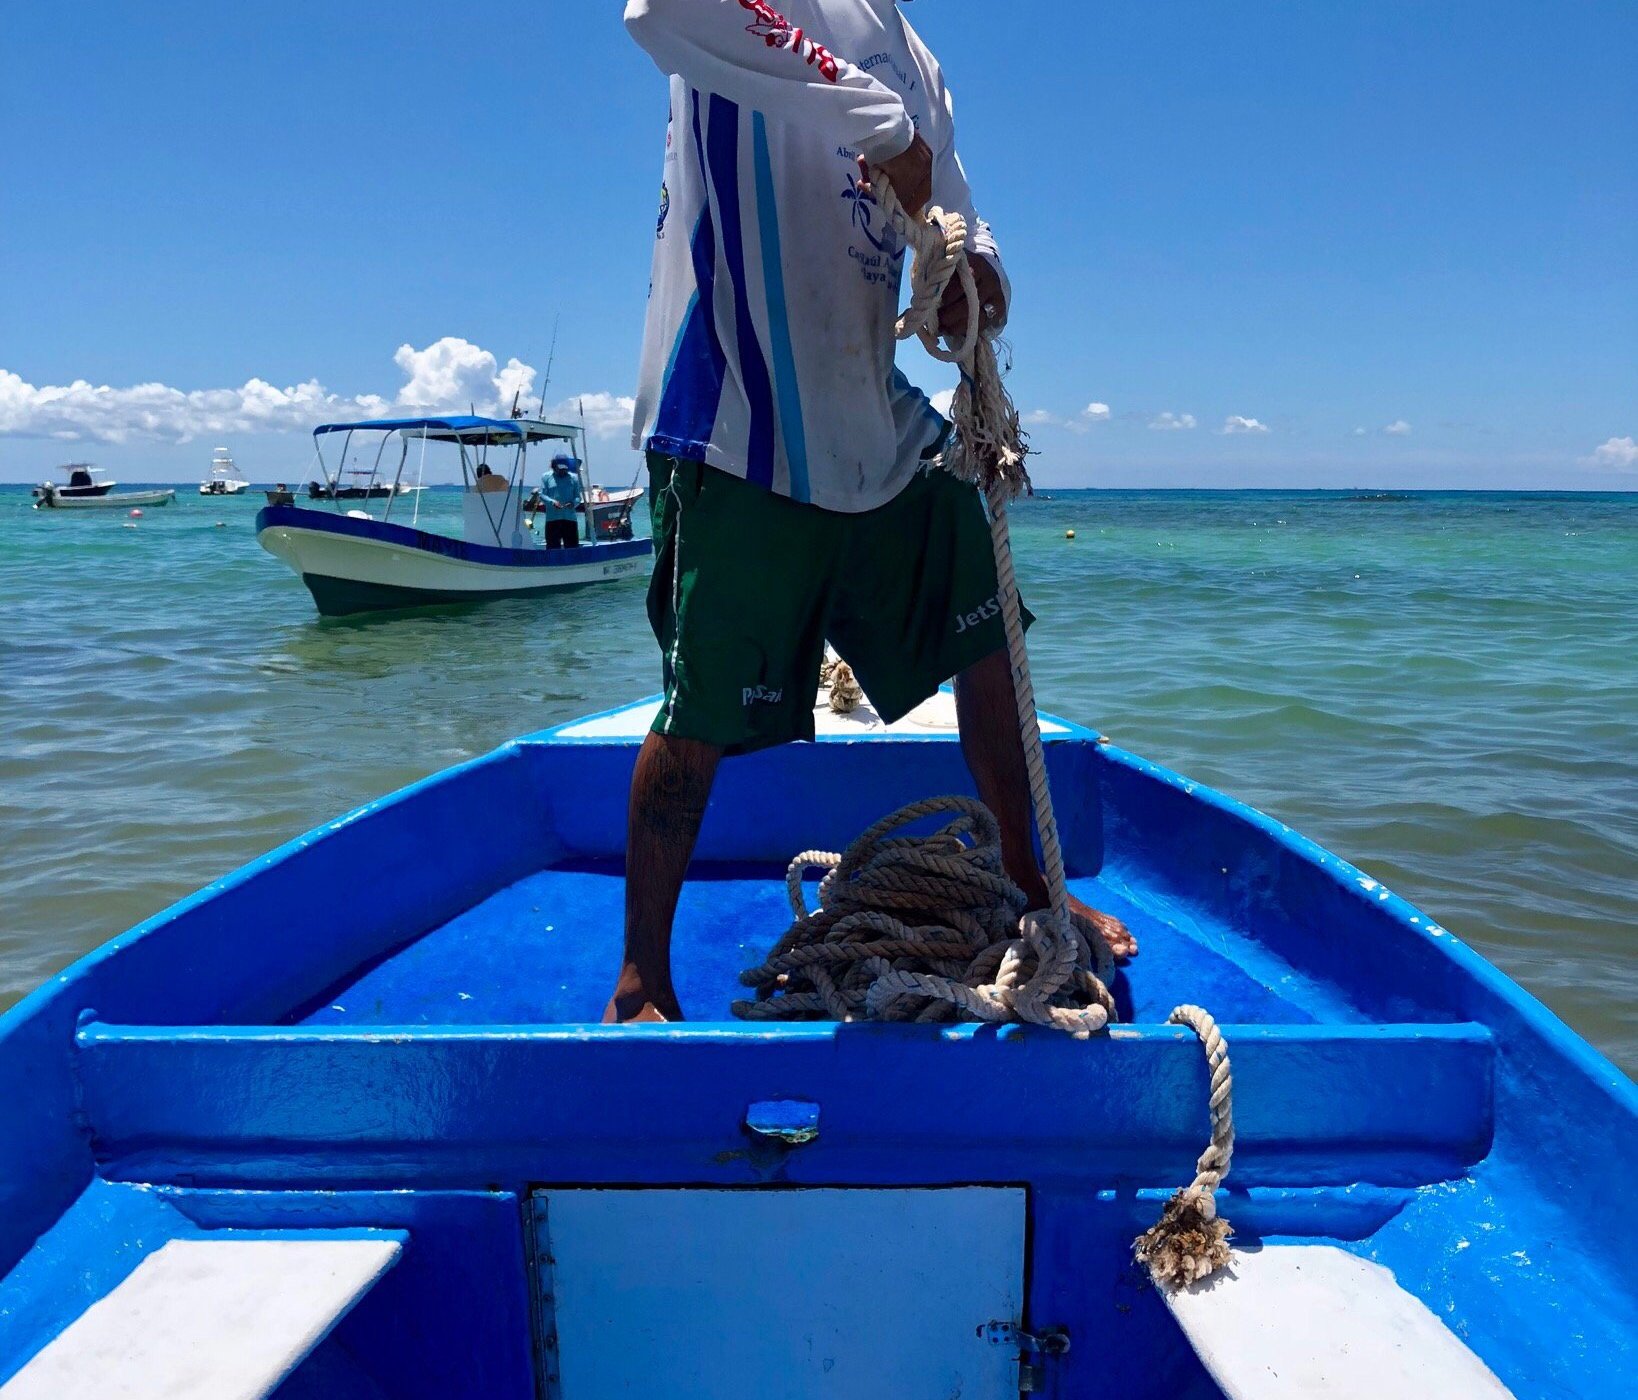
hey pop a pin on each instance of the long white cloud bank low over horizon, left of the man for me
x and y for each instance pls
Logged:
(450, 376)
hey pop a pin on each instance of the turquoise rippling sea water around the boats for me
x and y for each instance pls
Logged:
(1442, 689)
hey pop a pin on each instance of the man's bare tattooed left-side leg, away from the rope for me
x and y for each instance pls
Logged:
(669, 792)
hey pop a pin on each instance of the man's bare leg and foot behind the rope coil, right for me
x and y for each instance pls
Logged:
(987, 711)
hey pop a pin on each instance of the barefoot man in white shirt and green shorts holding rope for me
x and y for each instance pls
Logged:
(792, 466)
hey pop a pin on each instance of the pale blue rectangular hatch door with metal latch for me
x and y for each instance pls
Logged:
(817, 1293)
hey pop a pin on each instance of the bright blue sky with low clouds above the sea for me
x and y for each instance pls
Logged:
(1401, 238)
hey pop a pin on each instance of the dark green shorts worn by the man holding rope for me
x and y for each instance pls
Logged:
(748, 587)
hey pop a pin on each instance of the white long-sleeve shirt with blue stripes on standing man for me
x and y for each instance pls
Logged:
(769, 345)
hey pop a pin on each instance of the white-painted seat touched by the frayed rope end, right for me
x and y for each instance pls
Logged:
(1316, 1322)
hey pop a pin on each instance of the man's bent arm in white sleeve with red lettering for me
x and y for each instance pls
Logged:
(748, 52)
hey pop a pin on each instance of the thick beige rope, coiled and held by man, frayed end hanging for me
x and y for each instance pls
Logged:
(931, 928)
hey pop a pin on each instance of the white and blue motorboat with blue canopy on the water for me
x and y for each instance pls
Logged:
(355, 562)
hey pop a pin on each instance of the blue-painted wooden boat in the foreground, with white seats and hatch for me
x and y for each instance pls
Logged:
(345, 1126)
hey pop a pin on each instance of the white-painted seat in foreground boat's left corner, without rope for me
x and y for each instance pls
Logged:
(207, 1321)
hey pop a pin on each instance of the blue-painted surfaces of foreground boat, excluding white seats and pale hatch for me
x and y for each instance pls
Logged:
(384, 1026)
